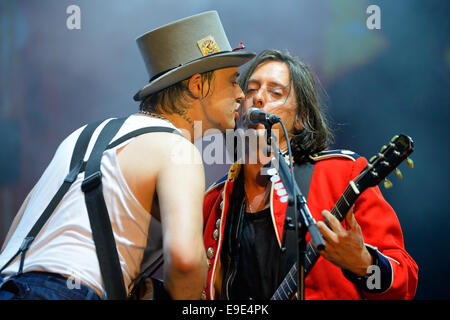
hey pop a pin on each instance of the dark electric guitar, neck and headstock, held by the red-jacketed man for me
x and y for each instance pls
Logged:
(378, 167)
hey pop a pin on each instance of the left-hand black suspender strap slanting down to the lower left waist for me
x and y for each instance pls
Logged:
(75, 165)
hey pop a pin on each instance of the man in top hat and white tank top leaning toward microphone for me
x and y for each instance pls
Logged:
(152, 191)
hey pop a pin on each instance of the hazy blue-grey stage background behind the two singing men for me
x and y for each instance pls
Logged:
(379, 83)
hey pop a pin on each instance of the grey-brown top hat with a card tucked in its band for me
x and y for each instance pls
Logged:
(178, 50)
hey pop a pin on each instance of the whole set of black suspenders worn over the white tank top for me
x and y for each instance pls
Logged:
(98, 215)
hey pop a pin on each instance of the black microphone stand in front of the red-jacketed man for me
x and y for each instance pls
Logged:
(304, 222)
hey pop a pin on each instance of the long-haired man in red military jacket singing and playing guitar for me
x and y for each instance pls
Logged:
(244, 214)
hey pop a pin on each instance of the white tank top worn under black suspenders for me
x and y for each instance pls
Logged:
(65, 245)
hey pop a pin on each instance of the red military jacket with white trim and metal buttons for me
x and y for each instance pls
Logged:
(379, 224)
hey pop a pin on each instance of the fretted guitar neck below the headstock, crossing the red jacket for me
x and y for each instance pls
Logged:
(288, 286)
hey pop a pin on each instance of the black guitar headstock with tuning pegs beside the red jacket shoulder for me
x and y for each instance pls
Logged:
(386, 161)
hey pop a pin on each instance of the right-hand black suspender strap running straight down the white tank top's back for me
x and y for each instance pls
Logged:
(98, 216)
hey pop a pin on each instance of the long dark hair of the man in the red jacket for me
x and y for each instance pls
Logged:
(316, 135)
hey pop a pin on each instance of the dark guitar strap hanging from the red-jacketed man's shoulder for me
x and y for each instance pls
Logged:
(303, 174)
